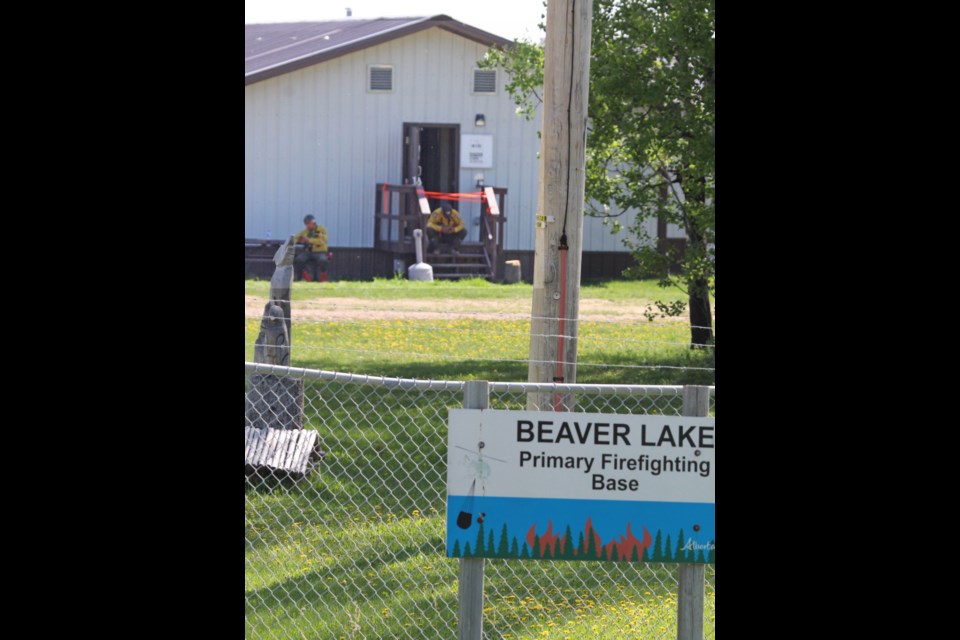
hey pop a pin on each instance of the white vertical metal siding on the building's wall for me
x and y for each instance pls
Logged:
(316, 141)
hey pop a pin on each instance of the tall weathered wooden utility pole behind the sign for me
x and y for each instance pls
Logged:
(556, 267)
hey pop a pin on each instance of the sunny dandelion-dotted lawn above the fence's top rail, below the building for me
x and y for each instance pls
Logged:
(616, 351)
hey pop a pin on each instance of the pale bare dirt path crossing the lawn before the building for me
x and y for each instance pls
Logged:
(367, 309)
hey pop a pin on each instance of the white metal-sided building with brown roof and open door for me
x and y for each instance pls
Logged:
(332, 109)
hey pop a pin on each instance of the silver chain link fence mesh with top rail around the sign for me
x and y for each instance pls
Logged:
(355, 549)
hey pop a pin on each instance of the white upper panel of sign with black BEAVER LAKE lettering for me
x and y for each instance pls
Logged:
(586, 456)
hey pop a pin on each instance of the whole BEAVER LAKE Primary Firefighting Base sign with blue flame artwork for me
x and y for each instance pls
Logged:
(581, 486)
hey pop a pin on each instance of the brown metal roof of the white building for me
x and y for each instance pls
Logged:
(274, 49)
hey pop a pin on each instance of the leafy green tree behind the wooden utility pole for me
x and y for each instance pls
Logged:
(651, 145)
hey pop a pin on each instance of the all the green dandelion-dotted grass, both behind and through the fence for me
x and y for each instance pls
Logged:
(357, 549)
